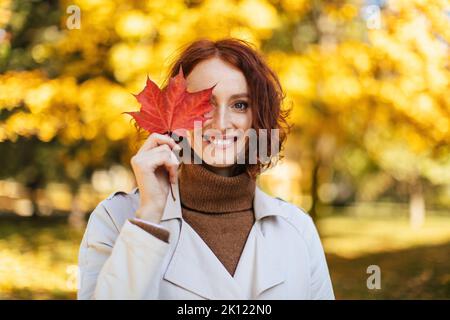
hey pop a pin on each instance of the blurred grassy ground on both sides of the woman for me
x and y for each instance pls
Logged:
(39, 257)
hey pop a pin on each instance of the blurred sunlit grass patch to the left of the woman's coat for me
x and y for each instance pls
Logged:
(38, 259)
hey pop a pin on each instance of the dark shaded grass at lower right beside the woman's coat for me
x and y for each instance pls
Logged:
(416, 273)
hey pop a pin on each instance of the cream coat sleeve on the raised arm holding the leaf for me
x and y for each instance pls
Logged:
(110, 259)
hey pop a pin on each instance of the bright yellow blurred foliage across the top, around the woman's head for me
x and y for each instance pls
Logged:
(338, 85)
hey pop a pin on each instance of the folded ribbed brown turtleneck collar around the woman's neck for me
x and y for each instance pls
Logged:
(205, 191)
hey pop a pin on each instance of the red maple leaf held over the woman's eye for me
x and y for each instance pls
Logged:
(173, 109)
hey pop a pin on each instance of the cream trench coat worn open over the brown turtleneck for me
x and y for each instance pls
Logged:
(282, 259)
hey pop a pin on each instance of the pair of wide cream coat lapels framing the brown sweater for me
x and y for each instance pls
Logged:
(194, 267)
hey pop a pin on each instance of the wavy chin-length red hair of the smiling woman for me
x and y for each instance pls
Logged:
(265, 92)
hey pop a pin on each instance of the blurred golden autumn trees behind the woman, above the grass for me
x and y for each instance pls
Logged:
(371, 103)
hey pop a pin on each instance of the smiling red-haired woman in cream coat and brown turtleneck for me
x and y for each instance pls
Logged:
(221, 237)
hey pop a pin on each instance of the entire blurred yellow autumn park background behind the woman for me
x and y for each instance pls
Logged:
(368, 156)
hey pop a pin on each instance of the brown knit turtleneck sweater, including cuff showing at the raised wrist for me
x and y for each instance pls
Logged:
(218, 208)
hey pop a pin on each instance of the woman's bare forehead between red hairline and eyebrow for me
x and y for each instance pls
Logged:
(207, 73)
